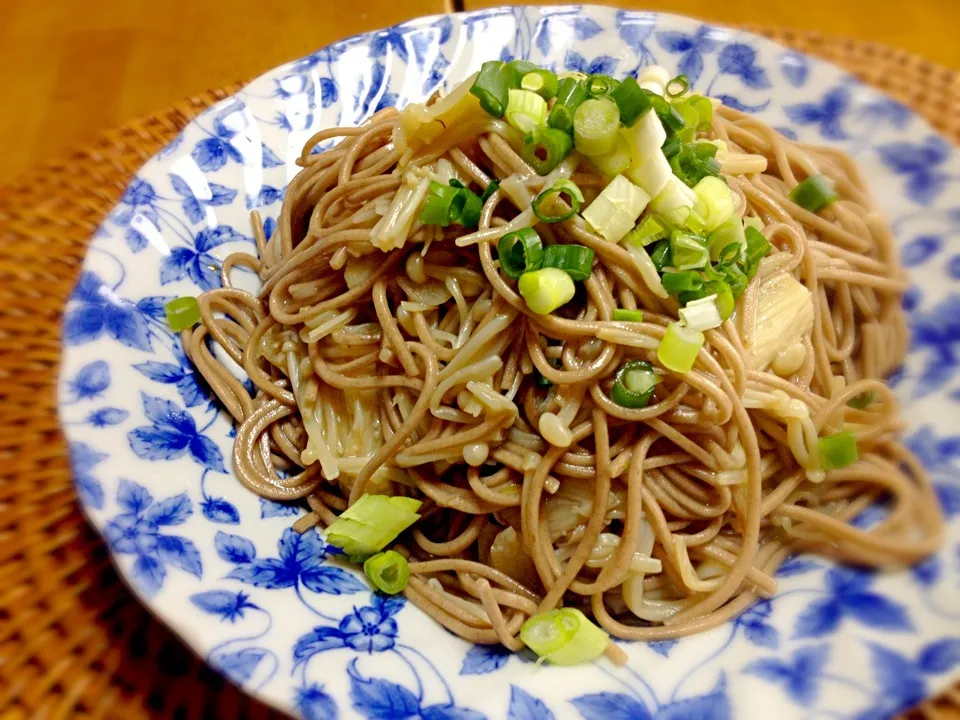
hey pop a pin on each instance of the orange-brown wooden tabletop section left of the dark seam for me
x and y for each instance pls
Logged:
(72, 68)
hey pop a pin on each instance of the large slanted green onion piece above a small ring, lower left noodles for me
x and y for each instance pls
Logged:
(371, 523)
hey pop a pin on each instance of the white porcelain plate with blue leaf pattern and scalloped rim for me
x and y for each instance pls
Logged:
(278, 614)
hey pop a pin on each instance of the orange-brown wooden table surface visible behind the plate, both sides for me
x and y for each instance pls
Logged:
(72, 68)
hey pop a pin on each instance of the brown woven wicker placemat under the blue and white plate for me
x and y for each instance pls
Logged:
(73, 642)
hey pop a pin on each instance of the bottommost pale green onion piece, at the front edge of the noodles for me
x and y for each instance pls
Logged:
(564, 637)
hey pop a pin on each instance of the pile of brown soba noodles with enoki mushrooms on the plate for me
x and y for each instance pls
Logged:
(395, 358)
